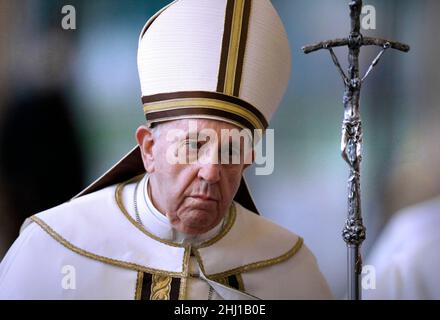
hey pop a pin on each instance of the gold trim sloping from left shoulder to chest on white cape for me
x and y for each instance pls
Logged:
(114, 262)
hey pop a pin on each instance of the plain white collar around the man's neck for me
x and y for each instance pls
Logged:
(158, 224)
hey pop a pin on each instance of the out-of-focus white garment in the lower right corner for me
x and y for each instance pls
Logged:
(406, 257)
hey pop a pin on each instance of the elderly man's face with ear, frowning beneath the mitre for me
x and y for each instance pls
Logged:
(195, 191)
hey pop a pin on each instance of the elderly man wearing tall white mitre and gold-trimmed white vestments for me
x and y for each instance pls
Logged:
(174, 218)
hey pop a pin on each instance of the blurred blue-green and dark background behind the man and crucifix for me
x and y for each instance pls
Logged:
(93, 69)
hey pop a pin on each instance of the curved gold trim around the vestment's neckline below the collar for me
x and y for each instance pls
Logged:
(230, 220)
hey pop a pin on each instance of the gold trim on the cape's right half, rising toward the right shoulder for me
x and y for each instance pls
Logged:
(251, 266)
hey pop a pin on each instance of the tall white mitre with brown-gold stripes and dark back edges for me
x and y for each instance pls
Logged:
(227, 60)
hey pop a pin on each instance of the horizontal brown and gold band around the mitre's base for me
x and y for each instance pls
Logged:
(249, 117)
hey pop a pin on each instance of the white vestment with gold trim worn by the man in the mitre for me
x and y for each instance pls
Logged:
(96, 247)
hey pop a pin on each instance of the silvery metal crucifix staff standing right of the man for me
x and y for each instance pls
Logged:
(351, 142)
